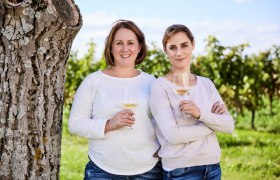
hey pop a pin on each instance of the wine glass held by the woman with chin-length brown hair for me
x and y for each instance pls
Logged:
(129, 100)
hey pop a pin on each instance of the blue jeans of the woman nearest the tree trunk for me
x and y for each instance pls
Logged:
(93, 172)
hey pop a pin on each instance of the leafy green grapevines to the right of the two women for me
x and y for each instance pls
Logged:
(242, 80)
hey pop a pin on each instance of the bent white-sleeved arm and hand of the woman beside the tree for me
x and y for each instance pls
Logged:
(81, 121)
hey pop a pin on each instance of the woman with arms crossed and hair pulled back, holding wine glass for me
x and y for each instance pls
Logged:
(189, 146)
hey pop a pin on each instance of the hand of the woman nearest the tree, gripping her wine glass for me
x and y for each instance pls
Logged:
(119, 120)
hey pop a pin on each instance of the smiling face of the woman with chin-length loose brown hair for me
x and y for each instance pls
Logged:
(125, 48)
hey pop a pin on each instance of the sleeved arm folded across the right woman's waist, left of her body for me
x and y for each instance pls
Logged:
(163, 114)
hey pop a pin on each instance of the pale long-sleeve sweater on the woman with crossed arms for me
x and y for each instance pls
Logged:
(187, 142)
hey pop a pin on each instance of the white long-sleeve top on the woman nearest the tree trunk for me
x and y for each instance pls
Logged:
(123, 151)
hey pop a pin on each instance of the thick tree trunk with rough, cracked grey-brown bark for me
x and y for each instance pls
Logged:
(35, 42)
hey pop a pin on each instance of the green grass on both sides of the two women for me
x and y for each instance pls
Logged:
(246, 154)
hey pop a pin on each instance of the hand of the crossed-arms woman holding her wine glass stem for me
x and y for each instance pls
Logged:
(189, 107)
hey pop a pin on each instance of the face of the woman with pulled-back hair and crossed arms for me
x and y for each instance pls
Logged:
(179, 51)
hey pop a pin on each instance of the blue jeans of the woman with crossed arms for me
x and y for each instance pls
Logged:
(209, 172)
